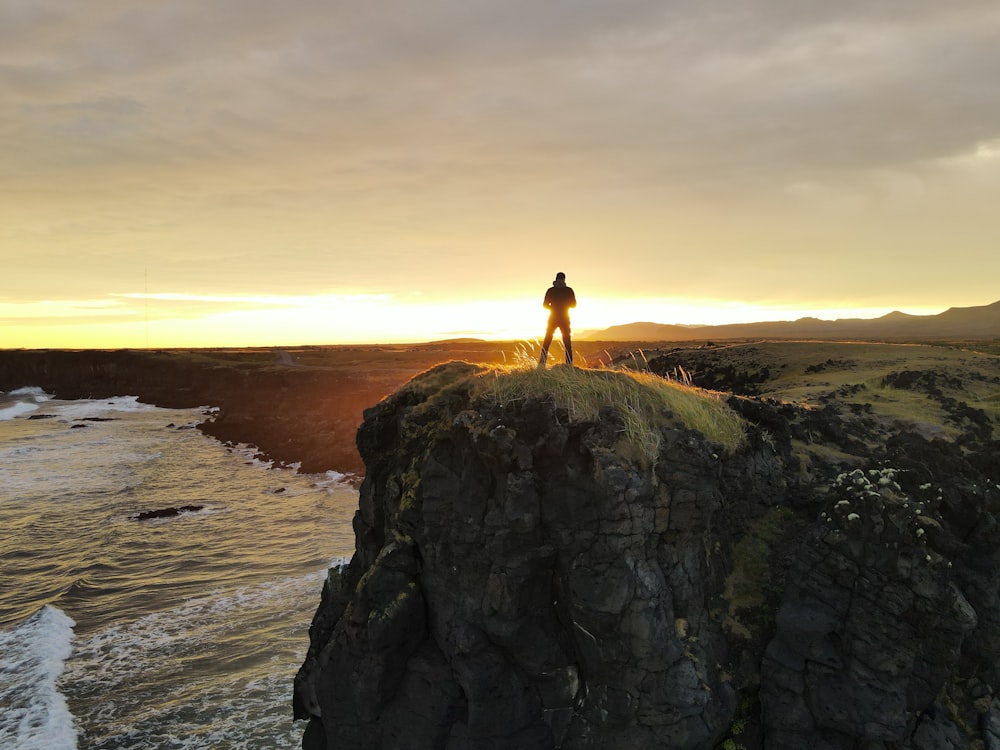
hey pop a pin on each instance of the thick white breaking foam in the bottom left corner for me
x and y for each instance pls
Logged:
(35, 714)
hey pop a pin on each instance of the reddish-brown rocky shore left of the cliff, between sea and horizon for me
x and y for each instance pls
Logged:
(293, 414)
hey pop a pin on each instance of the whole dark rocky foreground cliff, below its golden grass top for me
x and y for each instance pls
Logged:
(523, 579)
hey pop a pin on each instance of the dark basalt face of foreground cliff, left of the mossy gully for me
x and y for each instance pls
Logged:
(518, 584)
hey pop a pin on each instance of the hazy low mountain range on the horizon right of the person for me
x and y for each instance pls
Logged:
(956, 323)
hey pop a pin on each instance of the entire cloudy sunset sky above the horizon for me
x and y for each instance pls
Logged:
(252, 172)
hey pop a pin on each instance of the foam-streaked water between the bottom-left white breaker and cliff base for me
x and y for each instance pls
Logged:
(162, 680)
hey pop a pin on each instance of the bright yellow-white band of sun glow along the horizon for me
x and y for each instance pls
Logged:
(176, 320)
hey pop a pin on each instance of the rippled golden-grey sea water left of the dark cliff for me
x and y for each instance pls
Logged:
(177, 632)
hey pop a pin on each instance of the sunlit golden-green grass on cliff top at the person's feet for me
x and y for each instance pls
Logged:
(646, 402)
